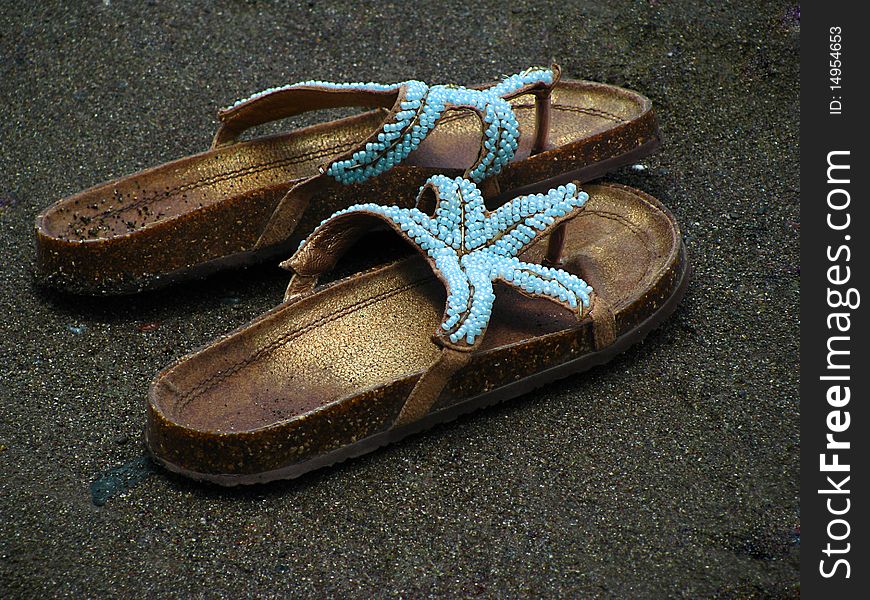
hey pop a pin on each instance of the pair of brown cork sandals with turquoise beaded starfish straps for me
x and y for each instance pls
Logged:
(482, 181)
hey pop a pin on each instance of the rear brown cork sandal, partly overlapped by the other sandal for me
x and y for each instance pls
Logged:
(243, 202)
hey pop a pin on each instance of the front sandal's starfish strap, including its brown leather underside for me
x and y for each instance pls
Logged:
(467, 247)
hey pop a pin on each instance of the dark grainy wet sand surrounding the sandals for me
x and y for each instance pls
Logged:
(673, 471)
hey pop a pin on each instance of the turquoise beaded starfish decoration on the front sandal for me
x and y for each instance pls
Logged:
(472, 248)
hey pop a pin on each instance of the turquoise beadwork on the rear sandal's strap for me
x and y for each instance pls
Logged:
(421, 107)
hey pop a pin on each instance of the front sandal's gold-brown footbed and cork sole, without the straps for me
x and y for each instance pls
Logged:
(335, 367)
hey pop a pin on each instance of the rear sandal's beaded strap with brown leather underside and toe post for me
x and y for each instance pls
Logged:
(415, 109)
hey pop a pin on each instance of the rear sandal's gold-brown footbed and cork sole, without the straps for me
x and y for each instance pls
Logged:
(207, 211)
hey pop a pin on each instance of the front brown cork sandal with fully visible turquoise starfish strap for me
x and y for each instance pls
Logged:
(339, 370)
